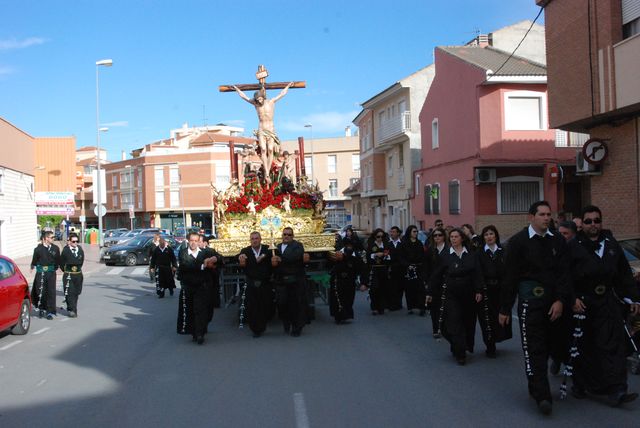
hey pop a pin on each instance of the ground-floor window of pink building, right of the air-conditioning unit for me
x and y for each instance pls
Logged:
(516, 194)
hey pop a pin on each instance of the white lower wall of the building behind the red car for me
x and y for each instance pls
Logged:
(18, 227)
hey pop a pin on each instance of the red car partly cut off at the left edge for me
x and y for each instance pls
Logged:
(15, 301)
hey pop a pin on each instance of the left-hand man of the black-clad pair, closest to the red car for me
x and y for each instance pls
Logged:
(46, 261)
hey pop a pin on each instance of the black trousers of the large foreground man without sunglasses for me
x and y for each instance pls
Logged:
(541, 339)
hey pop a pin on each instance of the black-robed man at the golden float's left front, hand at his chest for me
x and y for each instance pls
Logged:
(193, 268)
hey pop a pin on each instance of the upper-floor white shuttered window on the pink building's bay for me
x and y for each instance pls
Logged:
(524, 110)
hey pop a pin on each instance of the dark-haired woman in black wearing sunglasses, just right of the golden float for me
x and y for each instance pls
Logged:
(378, 257)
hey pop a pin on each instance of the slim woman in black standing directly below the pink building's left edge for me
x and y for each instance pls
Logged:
(412, 260)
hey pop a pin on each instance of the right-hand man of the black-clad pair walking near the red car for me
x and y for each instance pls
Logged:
(72, 279)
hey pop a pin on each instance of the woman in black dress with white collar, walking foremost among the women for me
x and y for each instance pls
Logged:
(459, 276)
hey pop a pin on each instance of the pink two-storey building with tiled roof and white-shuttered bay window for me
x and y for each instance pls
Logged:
(487, 150)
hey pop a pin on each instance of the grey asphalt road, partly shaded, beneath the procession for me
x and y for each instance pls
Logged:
(121, 364)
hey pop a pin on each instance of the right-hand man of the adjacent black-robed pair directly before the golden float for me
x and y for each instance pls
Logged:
(290, 277)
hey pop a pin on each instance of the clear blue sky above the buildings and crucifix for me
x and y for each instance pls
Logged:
(169, 58)
